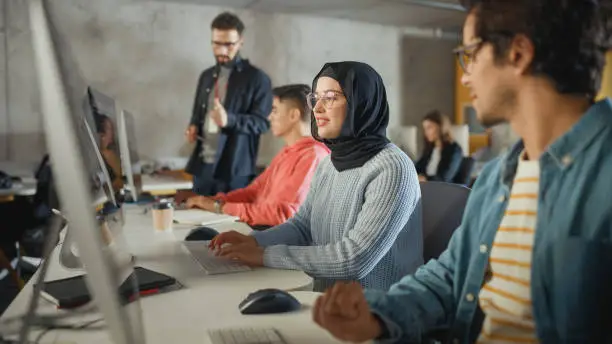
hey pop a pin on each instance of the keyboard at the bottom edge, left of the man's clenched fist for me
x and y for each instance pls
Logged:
(246, 336)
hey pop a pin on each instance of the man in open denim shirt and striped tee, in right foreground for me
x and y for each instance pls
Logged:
(531, 261)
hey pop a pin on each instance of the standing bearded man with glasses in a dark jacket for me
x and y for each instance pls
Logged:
(233, 99)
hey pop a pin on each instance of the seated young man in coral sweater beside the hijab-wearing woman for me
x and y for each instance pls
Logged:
(278, 192)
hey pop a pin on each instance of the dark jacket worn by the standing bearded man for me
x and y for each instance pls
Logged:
(248, 103)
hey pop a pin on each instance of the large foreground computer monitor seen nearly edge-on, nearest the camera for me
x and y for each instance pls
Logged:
(62, 91)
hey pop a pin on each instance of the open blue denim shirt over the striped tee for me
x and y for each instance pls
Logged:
(571, 277)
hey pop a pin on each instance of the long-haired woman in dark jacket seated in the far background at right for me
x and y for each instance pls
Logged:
(442, 156)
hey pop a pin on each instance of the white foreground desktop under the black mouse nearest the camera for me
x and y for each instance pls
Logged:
(165, 324)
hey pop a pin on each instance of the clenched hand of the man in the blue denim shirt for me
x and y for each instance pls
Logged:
(344, 312)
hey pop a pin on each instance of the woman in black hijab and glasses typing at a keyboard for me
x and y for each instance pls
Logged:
(362, 217)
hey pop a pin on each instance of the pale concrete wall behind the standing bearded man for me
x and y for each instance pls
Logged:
(149, 55)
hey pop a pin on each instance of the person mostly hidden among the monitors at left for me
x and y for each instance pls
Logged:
(109, 150)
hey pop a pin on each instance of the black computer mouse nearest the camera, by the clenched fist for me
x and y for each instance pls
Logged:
(268, 301)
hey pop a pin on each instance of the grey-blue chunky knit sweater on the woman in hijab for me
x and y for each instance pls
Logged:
(362, 224)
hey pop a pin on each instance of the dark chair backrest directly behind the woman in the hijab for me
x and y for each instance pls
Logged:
(443, 206)
